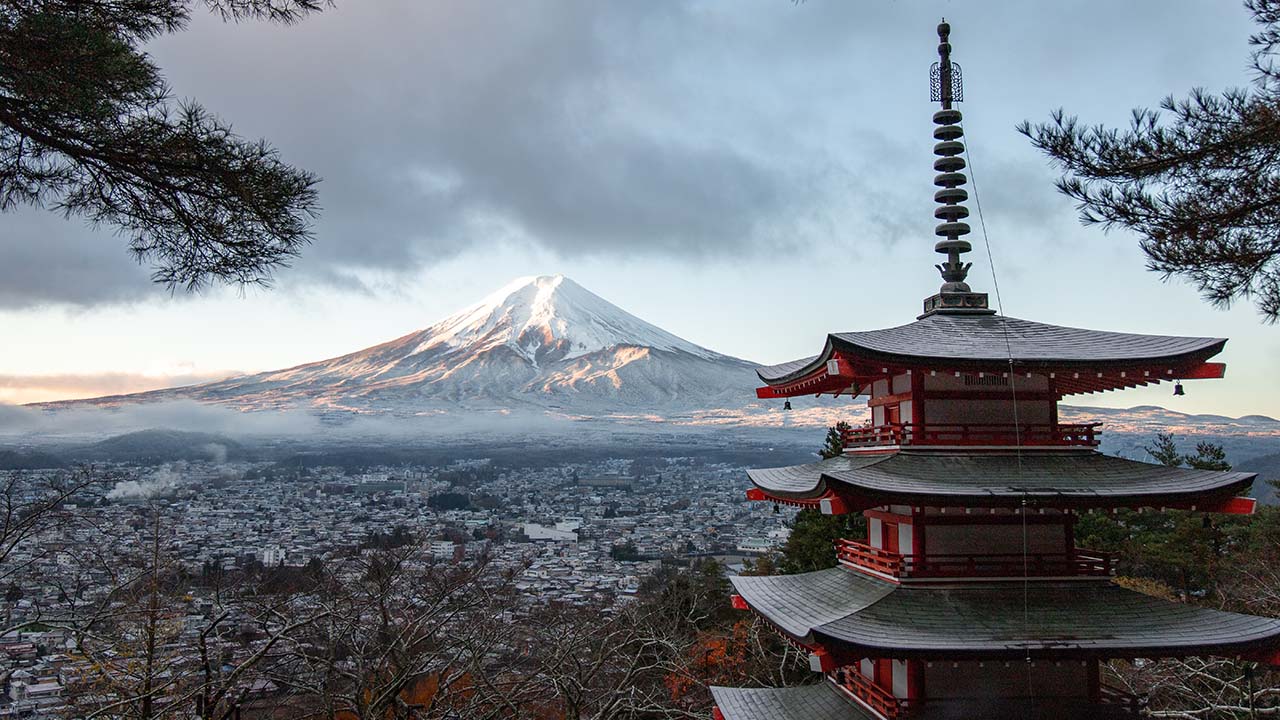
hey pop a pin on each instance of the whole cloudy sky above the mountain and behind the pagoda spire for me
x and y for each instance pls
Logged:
(747, 175)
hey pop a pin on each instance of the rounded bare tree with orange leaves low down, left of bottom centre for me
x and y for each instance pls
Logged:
(401, 637)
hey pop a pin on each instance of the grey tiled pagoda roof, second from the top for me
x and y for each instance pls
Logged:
(952, 479)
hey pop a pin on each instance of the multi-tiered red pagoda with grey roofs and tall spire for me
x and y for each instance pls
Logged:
(968, 598)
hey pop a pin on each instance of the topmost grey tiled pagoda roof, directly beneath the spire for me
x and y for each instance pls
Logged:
(982, 339)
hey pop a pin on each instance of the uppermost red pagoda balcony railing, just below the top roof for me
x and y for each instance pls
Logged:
(1078, 435)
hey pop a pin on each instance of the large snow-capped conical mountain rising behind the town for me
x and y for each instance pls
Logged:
(540, 343)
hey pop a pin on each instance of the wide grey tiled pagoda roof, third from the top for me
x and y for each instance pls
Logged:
(996, 619)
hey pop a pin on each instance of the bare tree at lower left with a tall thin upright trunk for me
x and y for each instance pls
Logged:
(148, 654)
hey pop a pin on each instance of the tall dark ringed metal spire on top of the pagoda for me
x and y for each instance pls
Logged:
(947, 89)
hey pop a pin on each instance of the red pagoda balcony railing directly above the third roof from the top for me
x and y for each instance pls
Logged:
(1081, 563)
